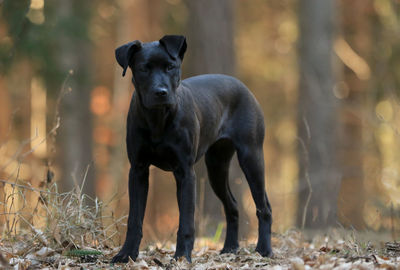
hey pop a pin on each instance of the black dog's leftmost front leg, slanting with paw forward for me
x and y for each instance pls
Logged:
(138, 189)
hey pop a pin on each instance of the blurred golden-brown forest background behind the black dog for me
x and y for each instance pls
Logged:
(326, 73)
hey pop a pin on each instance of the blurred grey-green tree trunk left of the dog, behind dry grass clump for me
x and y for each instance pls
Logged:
(75, 132)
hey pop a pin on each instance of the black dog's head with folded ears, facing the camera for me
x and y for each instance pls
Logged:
(156, 68)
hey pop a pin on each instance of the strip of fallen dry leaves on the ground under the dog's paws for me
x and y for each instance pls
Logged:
(344, 250)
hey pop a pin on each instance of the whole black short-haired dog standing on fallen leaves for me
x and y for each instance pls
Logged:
(171, 124)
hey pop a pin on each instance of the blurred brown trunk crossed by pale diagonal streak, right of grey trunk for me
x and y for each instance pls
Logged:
(355, 45)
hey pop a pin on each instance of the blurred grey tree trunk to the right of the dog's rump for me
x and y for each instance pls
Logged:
(317, 111)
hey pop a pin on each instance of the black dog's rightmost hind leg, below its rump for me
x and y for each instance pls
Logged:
(251, 160)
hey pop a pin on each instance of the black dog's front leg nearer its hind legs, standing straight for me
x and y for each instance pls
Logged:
(186, 193)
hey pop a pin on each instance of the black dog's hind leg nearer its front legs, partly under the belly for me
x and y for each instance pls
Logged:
(217, 159)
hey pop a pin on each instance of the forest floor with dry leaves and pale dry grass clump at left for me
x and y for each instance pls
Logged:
(74, 235)
